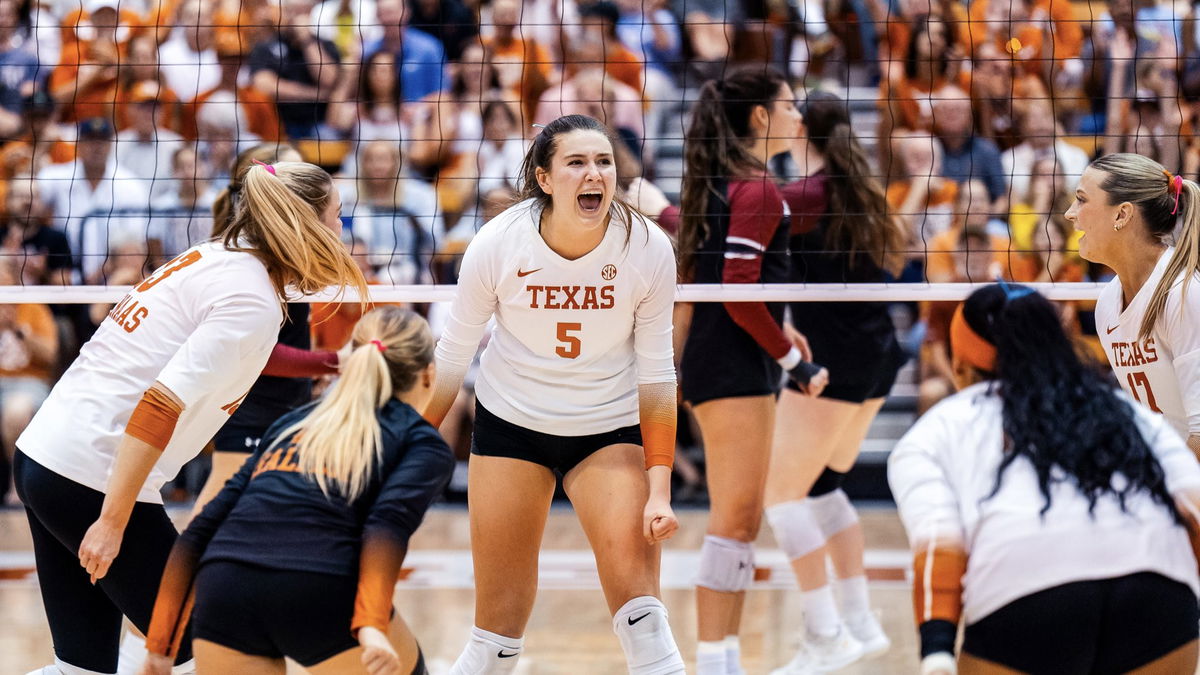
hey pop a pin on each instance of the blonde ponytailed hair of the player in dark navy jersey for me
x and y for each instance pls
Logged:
(340, 443)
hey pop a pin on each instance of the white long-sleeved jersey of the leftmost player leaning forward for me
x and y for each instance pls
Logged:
(203, 326)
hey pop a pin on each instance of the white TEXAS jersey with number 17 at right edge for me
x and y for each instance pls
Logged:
(1163, 372)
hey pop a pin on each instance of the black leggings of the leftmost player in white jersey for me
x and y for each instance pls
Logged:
(86, 619)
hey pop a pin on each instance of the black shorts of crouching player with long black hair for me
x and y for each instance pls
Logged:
(1101, 628)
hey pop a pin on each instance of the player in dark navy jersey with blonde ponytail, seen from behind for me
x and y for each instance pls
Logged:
(299, 554)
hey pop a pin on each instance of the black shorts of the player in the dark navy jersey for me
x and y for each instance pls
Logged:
(274, 613)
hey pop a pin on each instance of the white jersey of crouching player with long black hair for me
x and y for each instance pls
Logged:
(944, 470)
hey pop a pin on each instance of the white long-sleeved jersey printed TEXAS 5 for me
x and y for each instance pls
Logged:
(573, 339)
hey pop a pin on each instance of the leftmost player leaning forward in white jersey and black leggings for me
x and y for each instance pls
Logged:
(165, 371)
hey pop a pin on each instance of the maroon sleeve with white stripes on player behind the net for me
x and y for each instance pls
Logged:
(757, 211)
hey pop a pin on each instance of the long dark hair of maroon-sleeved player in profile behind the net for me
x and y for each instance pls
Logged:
(717, 146)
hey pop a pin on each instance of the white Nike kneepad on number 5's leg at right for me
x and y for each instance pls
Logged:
(641, 625)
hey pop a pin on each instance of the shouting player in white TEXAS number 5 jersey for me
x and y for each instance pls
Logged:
(578, 380)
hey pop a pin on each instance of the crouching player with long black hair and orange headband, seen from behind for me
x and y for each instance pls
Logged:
(1046, 511)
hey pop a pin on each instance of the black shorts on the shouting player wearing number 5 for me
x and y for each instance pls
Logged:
(501, 439)
